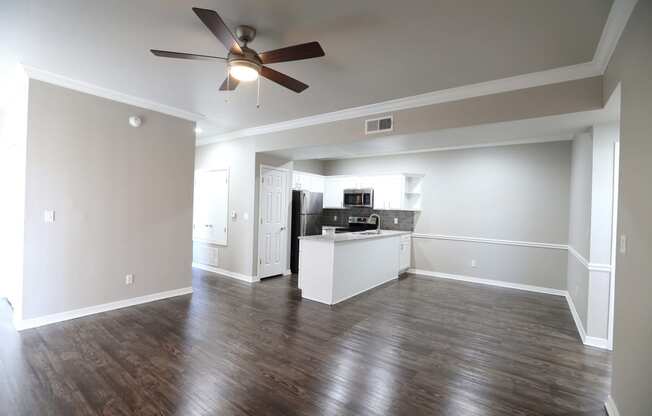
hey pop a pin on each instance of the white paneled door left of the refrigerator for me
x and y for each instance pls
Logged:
(272, 234)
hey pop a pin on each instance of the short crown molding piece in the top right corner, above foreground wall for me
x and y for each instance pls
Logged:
(619, 14)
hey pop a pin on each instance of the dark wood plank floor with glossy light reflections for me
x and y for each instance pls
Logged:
(416, 346)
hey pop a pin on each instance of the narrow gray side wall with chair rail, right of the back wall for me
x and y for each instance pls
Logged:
(579, 227)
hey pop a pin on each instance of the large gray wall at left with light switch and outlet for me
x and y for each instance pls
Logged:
(123, 201)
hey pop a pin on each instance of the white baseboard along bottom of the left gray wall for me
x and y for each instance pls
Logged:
(21, 325)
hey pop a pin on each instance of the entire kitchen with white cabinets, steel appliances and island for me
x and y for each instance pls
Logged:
(337, 220)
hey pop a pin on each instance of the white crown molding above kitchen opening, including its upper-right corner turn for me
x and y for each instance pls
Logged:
(614, 26)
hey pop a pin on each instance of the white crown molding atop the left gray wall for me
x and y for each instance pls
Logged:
(96, 90)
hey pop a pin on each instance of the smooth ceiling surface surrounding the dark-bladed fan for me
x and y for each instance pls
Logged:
(376, 50)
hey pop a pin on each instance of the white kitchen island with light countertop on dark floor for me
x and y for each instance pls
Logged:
(335, 267)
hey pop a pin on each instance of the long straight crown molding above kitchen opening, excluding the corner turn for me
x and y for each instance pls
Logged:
(534, 79)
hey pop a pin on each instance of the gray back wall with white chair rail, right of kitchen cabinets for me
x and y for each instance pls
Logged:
(517, 192)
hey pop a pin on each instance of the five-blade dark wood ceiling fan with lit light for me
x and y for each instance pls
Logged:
(243, 63)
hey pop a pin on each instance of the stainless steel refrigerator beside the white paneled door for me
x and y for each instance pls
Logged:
(306, 220)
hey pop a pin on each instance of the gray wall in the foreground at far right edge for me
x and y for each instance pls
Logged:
(631, 65)
